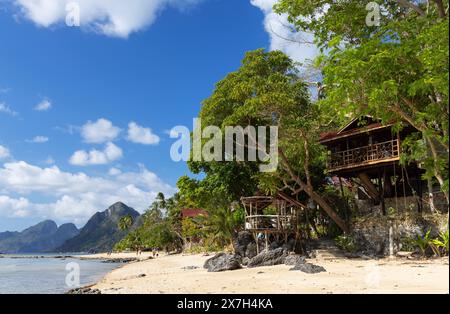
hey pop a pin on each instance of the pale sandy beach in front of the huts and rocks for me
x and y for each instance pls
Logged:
(184, 274)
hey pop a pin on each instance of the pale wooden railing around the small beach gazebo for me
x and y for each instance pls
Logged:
(270, 222)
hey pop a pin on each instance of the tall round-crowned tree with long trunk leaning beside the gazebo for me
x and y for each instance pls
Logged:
(267, 91)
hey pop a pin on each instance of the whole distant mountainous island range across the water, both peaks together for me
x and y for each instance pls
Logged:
(99, 234)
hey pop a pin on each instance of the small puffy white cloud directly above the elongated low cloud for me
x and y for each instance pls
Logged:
(100, 131)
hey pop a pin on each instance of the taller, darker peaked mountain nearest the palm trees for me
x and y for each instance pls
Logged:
(101, 232)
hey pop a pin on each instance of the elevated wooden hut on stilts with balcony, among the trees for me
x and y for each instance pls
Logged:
(369, 151)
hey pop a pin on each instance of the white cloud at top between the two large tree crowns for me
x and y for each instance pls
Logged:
(296, 45)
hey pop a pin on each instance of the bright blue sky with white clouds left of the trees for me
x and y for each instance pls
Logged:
(66, 90)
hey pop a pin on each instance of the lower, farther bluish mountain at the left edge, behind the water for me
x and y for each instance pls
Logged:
(44, 237)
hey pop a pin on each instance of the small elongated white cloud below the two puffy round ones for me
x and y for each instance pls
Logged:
(95, 157)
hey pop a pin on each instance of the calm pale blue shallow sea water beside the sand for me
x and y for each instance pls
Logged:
(27, 275)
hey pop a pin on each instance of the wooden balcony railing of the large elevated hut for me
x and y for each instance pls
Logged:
(367, 155)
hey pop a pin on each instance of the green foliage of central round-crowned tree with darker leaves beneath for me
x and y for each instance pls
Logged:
(266, 91)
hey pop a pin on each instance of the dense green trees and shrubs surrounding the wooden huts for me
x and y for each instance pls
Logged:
(396, 70)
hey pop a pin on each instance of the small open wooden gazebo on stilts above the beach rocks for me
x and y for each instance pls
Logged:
(276, 226)
